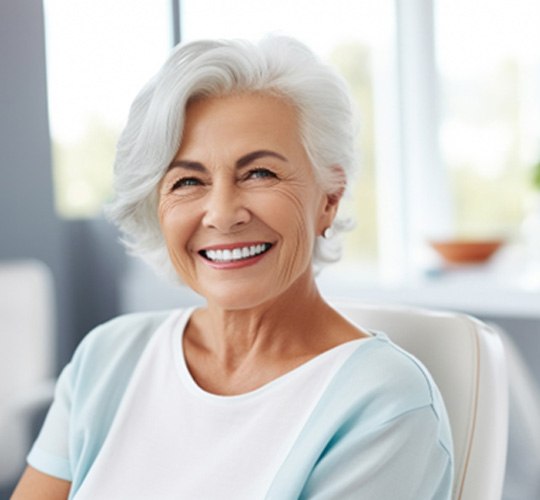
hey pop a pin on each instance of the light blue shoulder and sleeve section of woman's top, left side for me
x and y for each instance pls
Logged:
(88, 393)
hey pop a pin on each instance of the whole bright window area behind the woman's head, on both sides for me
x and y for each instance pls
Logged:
(448, 95)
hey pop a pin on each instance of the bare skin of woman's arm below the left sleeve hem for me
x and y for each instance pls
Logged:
(36, 485)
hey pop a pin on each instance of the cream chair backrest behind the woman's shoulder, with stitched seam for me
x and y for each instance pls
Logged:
(466, 360)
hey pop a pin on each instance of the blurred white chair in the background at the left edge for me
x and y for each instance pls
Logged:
(26, 358)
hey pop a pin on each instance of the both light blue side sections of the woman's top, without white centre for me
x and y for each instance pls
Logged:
(379, 432)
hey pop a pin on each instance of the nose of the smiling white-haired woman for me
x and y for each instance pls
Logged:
(225, 209)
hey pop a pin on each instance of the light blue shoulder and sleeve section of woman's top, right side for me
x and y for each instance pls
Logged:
(380, 411)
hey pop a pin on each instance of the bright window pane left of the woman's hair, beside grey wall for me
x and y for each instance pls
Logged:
(99, 54)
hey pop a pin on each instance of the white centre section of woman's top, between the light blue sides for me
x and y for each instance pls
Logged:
(200, 445)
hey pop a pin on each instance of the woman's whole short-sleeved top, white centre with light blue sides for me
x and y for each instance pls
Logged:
(361, 421)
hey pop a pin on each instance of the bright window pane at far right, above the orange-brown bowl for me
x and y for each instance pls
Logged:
(488, 55)
